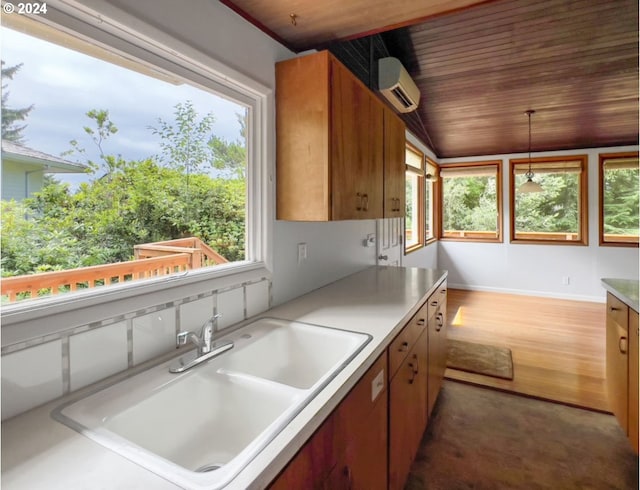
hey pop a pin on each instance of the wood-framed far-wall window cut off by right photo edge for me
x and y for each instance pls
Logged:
(619, 193)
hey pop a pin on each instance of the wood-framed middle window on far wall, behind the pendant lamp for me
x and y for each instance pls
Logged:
(558, 213)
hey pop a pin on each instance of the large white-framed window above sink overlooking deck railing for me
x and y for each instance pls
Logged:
(116, 170)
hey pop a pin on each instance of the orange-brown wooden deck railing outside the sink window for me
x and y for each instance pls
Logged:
(152, 260)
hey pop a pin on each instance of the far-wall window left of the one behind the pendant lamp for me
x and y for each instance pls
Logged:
(471, 201)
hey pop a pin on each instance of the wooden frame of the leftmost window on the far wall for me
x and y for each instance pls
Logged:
(471, 237)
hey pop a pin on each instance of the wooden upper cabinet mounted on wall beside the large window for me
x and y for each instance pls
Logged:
(334, 138)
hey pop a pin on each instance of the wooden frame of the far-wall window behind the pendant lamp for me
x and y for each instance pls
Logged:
(583, 207)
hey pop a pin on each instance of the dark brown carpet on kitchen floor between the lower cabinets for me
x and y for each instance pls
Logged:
(484, 439)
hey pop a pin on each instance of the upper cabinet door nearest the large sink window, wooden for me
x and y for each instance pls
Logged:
(356, 148)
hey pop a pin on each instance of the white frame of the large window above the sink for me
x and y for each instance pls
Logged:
(202, 72)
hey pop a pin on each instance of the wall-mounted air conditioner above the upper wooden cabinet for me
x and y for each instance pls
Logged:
(396, 85)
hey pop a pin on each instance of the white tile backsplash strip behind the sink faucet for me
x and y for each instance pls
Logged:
(46, 368)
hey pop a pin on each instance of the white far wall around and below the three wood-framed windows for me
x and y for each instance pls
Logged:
(539, 269)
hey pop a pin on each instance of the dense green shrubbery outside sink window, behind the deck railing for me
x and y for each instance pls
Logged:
(134, 202)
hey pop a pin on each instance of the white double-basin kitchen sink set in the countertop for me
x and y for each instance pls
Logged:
(199, 429)
